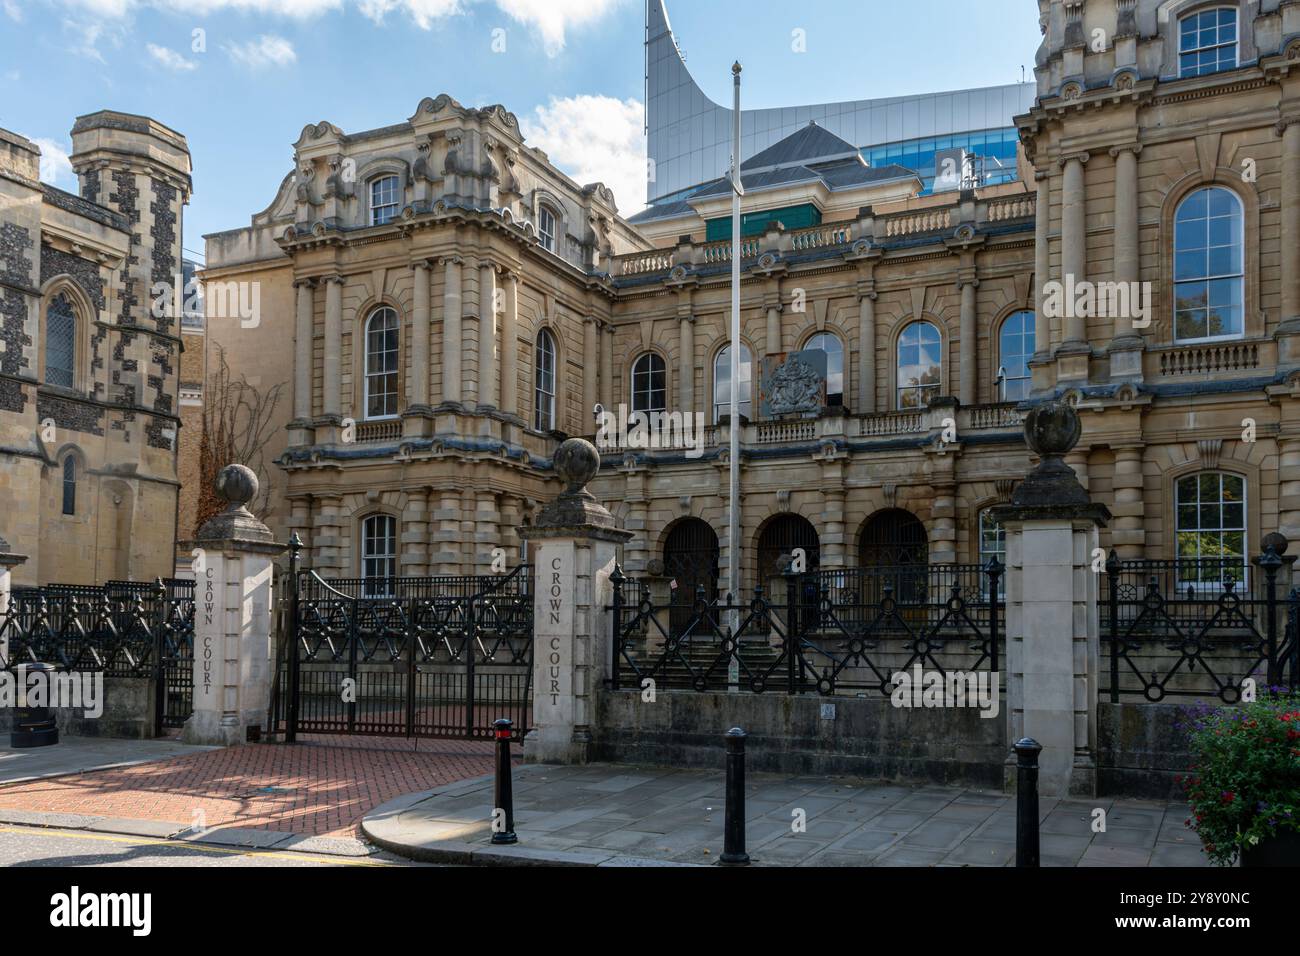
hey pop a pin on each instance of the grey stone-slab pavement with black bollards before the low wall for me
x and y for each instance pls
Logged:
(631, 816)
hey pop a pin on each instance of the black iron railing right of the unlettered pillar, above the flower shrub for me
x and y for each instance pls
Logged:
(1197, 629)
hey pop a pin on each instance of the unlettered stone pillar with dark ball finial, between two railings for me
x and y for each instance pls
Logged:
(1052, 628)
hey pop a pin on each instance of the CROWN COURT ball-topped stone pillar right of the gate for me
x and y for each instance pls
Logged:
(575, 547)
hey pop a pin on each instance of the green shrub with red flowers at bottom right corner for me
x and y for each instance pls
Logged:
(1245, 781)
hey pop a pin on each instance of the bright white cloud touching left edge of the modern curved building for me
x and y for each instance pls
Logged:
(596, 140)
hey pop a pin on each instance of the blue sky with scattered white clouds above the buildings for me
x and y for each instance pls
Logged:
(570, 70)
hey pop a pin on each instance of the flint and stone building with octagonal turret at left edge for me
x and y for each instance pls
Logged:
(89, 362)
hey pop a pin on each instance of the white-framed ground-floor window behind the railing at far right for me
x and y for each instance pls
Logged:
(1211, 521)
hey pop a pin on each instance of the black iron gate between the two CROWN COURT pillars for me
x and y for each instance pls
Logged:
(411, 657)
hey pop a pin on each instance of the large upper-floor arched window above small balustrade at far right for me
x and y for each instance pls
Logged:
(1210, 275)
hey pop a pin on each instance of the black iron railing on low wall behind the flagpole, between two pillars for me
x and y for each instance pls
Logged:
(829, 633)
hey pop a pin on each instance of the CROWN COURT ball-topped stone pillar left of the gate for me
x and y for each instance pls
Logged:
(232, 621)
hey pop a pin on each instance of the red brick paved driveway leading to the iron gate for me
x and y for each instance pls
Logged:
(320, 786)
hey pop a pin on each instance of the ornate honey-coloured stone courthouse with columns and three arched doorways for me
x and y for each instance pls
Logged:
(448, 306)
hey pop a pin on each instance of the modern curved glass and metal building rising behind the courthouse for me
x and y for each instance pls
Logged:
(690, 136)
